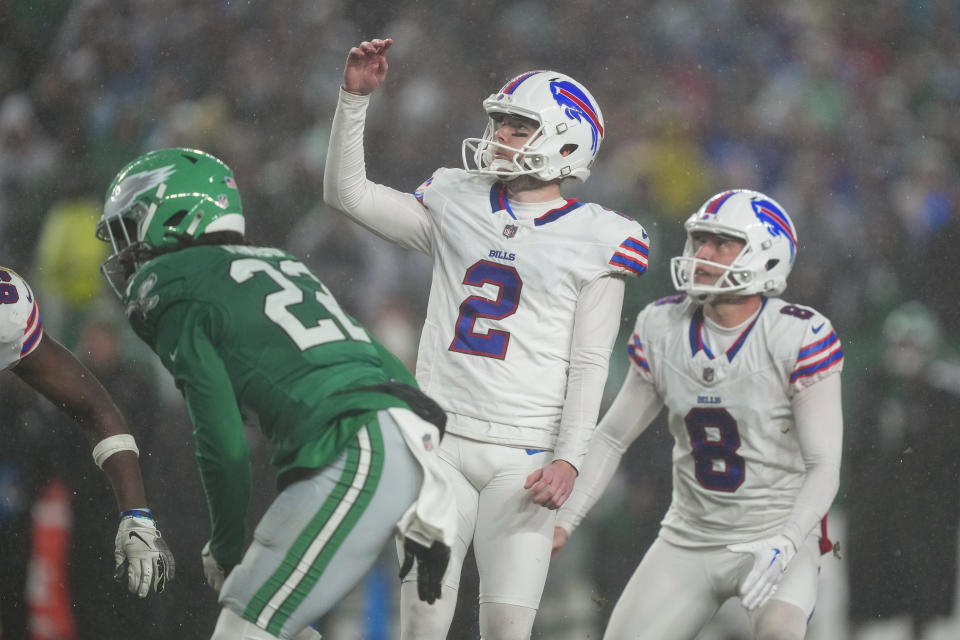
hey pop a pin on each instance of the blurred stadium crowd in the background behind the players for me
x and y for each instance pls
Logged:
(846, 112)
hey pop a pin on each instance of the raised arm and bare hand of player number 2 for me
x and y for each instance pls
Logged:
(393, 215)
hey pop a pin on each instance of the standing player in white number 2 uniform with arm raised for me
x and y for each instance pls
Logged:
(523, 312)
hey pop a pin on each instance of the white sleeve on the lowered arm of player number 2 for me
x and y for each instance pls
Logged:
(596, 324)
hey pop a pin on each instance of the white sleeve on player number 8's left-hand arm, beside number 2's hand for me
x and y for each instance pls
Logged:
(631, 412)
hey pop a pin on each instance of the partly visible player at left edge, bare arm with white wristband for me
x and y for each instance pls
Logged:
(142, 557)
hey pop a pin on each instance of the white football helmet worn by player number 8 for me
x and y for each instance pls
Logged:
(766, 259)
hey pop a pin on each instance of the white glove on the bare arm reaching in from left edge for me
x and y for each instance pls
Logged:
(141, 554)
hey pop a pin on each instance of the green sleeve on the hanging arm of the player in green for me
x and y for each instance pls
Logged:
(223, 455)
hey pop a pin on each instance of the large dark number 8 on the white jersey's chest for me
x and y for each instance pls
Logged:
(714, 438)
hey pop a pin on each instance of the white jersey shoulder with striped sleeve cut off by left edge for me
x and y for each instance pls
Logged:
(20, 327)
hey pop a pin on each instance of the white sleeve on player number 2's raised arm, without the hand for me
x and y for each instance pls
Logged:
(393, 215)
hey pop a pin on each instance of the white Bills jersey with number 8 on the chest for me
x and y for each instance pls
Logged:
(737, 463)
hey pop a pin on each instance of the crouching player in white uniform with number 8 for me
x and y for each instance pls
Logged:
(751, 385)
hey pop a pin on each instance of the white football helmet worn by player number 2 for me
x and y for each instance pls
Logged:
(568, 118)
